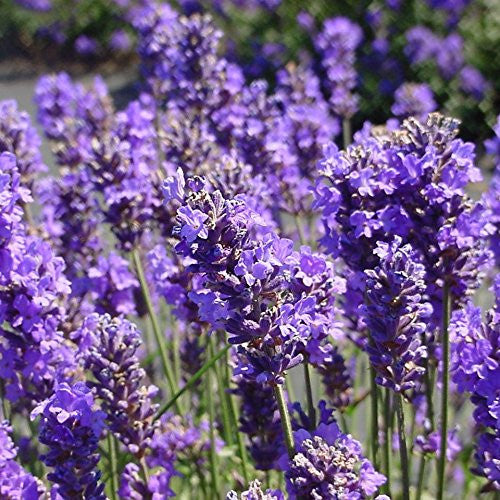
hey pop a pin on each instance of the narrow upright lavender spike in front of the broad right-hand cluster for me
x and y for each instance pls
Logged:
(394, 314)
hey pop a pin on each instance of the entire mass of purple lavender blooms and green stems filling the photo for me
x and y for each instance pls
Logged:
(209, 298)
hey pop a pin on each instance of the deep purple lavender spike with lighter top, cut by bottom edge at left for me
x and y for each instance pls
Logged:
(70, 427)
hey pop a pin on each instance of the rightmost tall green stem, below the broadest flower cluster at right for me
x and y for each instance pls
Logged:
(444, 400)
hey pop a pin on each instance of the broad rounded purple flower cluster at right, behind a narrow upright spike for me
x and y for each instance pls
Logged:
(409, 183)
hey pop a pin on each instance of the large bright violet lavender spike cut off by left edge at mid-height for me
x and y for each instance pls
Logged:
(33, 350)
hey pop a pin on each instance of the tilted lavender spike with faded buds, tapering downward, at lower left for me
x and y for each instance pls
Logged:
(109, 350)
